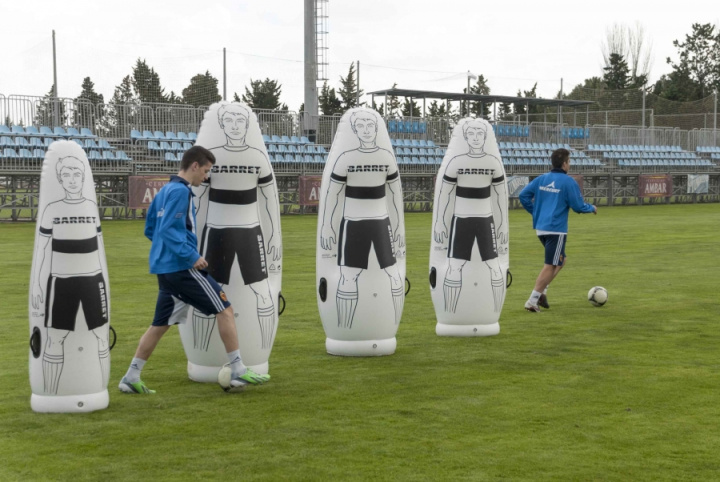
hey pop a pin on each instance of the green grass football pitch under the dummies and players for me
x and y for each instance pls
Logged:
(629, 391)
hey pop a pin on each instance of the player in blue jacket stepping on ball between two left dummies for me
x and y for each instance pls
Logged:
(182, 281)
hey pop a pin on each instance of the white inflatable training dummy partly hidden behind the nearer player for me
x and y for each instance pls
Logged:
(238, 222)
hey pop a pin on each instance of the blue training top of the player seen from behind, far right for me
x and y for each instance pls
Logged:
(549, 198)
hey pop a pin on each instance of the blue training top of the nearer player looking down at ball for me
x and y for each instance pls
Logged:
(170, 225)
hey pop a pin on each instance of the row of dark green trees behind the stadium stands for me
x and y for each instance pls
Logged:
(627, 62)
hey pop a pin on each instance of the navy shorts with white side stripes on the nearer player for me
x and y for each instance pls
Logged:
(180, 290)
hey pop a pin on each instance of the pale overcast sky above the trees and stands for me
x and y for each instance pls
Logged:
(418, 45)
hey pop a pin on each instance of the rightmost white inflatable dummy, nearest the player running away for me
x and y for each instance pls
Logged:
(469, 256)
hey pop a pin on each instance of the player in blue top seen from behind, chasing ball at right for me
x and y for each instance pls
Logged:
(549, 198)
